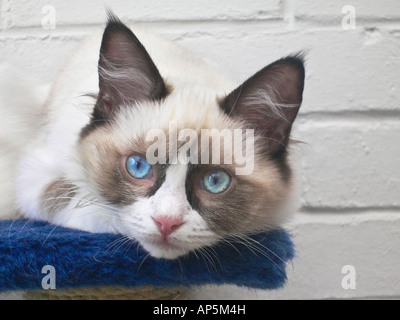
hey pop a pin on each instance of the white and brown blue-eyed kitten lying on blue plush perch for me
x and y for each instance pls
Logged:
(87, 163)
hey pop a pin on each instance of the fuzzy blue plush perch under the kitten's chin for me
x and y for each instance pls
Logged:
(84, 259)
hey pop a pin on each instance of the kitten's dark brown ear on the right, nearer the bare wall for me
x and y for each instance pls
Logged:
(269, 101)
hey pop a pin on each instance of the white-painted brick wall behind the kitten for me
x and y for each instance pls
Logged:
(350, 119)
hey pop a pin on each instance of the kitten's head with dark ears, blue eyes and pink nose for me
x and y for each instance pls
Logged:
(175, 206)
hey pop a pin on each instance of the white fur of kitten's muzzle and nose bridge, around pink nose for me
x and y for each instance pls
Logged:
(169, 201)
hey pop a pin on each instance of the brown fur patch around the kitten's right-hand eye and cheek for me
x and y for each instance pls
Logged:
(250, 204)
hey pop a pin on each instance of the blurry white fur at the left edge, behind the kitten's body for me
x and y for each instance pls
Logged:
(21, 109)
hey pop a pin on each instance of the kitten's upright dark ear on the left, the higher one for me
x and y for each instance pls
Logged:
(126, 72)
